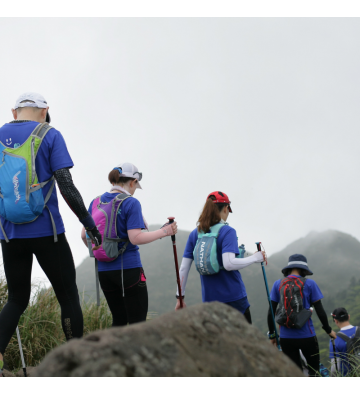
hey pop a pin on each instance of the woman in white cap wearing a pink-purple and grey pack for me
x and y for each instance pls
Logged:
(121, 274)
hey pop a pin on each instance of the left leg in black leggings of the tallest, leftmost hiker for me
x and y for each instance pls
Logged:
(17, 258)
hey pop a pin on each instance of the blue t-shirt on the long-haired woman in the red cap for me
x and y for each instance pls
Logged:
(225, 286)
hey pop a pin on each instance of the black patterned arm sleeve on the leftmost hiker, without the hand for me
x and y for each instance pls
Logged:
(70, 193)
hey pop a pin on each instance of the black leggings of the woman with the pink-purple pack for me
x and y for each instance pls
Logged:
(134, 306)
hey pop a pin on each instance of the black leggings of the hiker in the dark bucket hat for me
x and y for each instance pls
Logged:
(310, 349)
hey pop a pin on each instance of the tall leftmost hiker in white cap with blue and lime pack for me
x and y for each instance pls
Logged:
(31, 223)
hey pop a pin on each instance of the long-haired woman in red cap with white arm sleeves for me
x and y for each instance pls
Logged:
(220, 278)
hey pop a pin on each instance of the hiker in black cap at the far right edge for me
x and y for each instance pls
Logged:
(347, 343)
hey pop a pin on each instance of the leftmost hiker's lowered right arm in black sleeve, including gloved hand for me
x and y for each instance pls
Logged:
(75, 202)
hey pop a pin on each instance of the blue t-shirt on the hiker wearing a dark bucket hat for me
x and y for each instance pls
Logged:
(311, 294)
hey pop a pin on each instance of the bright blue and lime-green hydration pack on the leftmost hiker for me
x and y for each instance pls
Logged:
(21, 195)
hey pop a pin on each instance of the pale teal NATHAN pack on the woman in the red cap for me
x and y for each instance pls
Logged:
(205, 252)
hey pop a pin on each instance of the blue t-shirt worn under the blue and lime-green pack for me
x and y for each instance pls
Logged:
(52, 155)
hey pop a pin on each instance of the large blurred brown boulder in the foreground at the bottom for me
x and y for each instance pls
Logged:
(208, 339)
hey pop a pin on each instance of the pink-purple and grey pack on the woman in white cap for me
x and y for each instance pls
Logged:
(104, 215)
